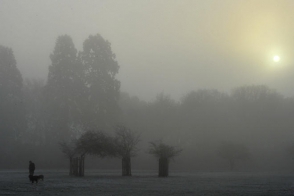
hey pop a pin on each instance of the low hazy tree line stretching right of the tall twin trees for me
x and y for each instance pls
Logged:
(249, 128)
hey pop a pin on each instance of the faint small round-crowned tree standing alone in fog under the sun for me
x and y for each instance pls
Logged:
(233, 152)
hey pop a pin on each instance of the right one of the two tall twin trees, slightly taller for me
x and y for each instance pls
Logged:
(100, 69)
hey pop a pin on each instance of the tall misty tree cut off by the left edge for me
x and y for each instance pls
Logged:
(12, 111)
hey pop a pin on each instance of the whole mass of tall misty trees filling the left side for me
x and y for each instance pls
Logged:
(81, 93)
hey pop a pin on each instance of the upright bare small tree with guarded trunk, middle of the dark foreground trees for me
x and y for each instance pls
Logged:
(126, 141)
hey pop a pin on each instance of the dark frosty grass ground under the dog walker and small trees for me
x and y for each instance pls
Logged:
(147, 183)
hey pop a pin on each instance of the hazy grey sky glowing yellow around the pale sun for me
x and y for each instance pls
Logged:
(170, 46)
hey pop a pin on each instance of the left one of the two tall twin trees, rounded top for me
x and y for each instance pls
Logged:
(64, 89)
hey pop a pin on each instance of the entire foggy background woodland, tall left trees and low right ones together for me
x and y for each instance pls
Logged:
(82, 93)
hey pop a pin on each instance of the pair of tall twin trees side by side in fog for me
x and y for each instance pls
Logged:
(81, 91)
